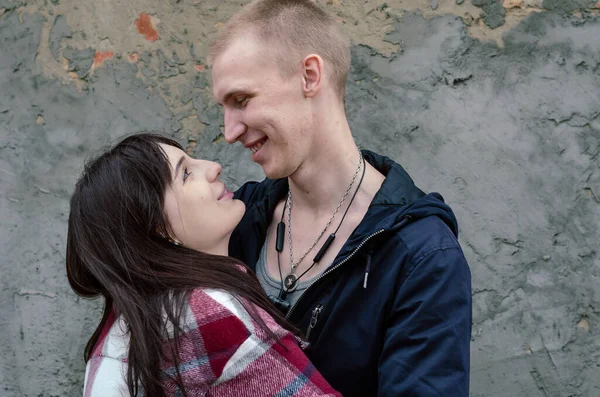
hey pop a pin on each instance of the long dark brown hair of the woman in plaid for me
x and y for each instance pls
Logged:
(115, 249)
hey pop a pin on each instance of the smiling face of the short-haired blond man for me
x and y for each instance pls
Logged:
(267, 113)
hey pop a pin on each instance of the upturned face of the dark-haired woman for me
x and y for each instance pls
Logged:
(201, 211)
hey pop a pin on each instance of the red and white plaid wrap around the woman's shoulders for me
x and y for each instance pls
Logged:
(223, 352)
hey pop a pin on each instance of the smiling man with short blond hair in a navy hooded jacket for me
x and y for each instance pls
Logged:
(385, 304)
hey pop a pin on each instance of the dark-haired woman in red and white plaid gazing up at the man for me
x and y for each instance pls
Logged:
(148, 230)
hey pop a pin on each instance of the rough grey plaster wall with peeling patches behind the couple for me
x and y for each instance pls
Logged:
(495, 104)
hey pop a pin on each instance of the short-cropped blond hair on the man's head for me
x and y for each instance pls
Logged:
(292, 29)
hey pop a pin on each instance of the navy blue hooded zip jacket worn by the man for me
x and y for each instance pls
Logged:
(392, 315)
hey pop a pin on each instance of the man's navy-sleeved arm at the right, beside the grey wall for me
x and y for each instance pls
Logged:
(426, 348)
